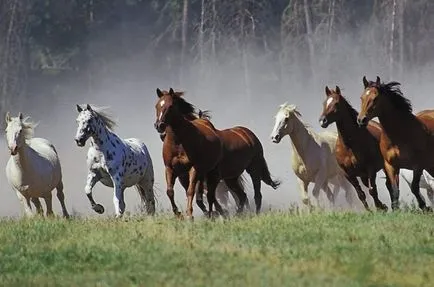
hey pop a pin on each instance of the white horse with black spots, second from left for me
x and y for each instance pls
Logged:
(117, 163)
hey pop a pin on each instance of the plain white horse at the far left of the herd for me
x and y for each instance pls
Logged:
(33, 170)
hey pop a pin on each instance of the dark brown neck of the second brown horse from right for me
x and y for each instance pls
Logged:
(347, 125)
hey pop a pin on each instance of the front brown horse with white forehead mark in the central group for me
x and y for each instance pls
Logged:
(200, 141)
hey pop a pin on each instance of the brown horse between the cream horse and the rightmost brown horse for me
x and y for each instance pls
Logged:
(357, 150)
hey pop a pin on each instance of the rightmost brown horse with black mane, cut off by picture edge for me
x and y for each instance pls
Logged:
(407, 140)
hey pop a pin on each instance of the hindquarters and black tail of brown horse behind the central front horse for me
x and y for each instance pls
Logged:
(242, 150)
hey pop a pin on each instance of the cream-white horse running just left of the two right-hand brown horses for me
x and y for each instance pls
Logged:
(313, 155)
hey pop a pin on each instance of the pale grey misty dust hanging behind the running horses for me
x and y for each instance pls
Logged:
(235, 94)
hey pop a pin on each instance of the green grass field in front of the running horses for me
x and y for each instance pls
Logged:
(274, 249)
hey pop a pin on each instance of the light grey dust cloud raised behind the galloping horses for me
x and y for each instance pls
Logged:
(129, 91)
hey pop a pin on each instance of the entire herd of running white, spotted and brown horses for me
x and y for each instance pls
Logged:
(204, 158)
